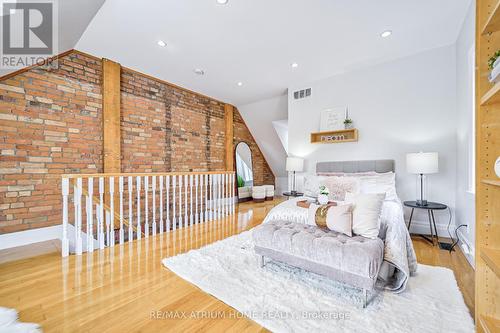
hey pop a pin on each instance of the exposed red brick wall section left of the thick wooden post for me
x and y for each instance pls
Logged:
(50, 124)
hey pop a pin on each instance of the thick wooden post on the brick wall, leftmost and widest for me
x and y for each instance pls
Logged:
(111, 116)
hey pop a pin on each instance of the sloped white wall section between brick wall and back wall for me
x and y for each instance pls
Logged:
(259, 118)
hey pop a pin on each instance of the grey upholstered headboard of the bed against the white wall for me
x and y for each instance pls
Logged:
(356, 166)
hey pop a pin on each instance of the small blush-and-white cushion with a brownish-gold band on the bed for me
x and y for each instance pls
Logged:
(338, 218)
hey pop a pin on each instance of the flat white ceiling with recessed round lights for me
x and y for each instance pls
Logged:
(255, 41)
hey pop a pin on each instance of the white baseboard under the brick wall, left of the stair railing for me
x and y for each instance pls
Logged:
(27, 237)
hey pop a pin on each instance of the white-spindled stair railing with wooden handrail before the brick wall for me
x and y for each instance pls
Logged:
(163, 202)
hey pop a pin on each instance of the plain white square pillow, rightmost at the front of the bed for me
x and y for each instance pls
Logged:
(366, 213)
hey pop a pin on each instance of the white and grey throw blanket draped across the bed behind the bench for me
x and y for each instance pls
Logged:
(400, 260)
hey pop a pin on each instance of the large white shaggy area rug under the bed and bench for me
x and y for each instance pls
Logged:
(283, 299)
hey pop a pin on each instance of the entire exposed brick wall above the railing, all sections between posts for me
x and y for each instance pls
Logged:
(51, 123)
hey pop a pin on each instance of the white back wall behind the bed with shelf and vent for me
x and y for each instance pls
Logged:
(403, 106)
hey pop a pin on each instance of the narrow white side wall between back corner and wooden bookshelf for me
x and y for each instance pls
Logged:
(465, 134)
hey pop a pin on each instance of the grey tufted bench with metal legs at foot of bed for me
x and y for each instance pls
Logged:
(352, 260)
